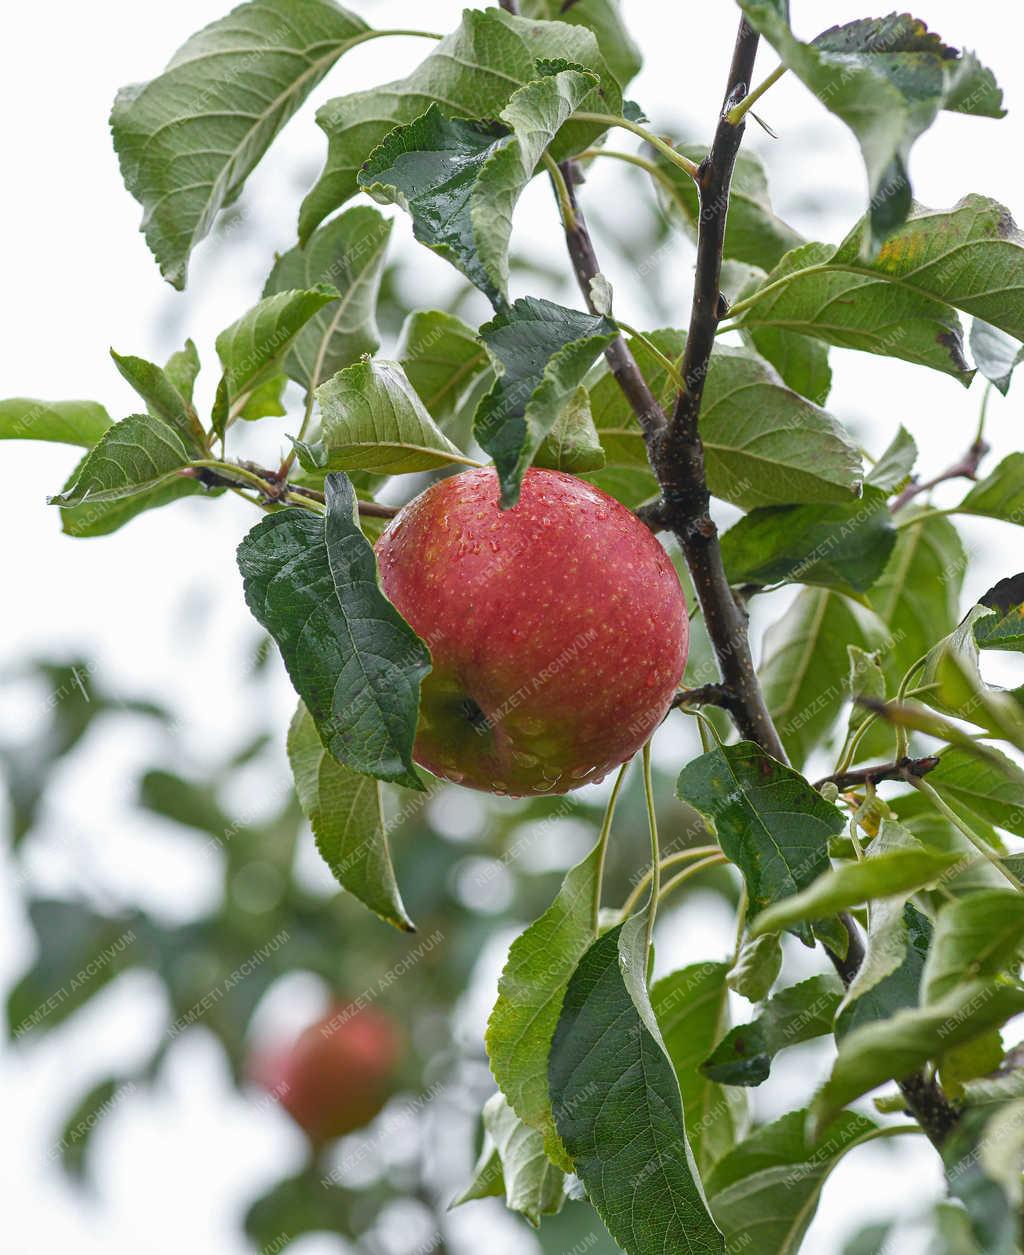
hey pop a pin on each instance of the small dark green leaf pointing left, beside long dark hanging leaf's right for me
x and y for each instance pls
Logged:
(796, 1015)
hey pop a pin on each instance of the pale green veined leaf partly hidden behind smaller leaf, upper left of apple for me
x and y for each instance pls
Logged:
(348, 254)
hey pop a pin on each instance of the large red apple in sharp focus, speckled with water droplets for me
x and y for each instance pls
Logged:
(558, 629)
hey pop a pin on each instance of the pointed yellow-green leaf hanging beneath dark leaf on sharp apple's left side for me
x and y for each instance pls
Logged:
(346, 814)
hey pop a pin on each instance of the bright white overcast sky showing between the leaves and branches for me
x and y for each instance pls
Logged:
(178, 1168)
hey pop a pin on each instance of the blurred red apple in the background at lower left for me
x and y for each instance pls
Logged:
(338, 1075)
